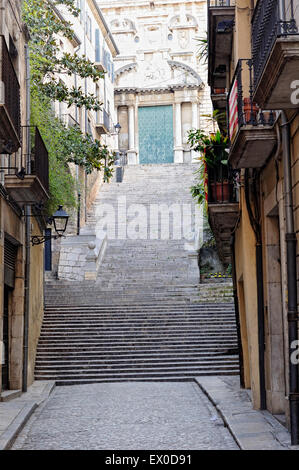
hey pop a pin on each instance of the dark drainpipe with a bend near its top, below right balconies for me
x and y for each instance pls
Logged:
(260, 295)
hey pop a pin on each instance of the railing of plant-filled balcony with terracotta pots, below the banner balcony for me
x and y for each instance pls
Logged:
(222, 184)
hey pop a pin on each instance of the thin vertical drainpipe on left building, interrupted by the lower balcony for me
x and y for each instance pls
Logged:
(27, 230)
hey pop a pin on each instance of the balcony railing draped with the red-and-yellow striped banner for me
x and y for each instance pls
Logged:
(242, 110)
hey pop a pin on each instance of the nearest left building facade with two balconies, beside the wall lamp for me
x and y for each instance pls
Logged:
(23, 185)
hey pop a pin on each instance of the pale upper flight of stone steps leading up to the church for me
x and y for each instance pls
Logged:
(152, 227)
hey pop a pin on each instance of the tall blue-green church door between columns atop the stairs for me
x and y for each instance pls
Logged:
(155, 124)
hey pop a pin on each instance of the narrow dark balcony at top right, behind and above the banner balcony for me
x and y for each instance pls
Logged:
(221, 14)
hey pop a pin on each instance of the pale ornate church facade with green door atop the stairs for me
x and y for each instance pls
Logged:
(160, 85)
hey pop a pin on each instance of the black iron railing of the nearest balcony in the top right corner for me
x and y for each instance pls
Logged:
(272, 19)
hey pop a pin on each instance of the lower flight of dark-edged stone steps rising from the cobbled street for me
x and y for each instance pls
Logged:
(151, 342)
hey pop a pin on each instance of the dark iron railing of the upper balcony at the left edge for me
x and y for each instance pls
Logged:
(11, 92)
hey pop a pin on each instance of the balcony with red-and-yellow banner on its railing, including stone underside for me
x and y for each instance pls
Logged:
(251, 130)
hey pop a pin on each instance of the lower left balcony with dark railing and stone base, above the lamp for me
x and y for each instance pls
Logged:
(27, 176)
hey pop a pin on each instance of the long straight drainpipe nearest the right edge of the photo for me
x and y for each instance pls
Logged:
(291, 280)
